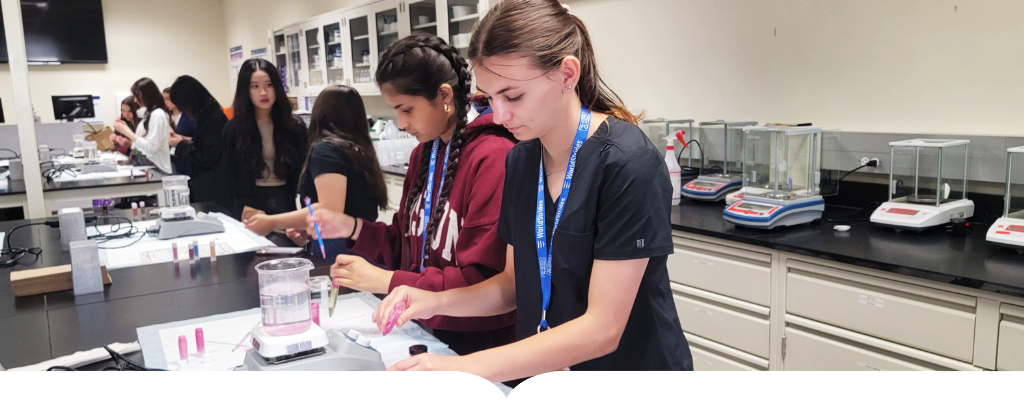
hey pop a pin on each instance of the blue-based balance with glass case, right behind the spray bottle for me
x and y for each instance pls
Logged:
(715, 185)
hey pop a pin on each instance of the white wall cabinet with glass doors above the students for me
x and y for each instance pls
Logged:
(345, 48)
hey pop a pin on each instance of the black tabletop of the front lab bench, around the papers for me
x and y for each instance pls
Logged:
(46, 326)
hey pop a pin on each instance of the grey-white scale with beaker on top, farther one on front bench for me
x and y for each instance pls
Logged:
(178, 218)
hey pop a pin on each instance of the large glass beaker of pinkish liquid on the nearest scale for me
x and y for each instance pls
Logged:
(284, 296)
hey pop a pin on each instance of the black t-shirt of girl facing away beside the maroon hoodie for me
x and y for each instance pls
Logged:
(329, 158)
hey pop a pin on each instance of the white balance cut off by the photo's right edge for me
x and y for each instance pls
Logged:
(1009, 230)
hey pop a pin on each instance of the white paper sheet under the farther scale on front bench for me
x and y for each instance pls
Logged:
(236, 239)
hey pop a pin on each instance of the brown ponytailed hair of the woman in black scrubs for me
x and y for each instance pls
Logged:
(545, 32)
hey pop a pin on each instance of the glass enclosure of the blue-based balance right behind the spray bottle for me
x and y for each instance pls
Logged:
(722, 143)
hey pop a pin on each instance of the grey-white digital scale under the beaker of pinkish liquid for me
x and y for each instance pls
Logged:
(313, 350)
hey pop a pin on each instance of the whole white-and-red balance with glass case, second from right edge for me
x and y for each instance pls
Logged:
(927, 185)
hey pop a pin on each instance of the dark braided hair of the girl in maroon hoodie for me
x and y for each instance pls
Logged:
(418, 66)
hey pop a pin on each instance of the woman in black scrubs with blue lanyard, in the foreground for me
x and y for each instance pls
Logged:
(611, 307)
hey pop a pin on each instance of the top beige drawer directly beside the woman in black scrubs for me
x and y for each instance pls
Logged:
(739, 274)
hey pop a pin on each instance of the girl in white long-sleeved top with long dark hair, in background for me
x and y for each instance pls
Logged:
(154, 131)
